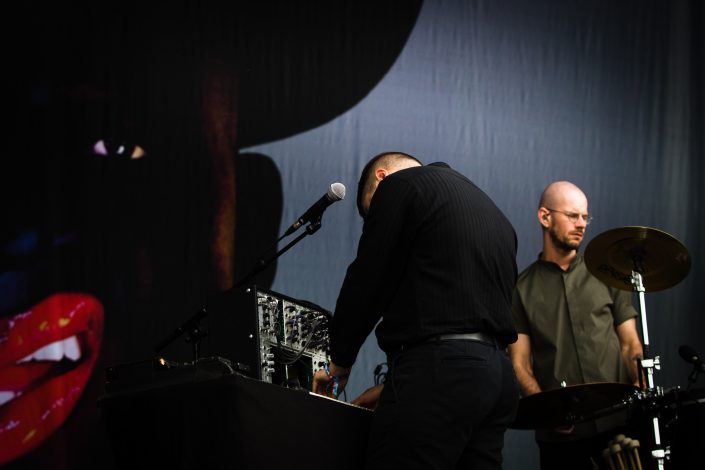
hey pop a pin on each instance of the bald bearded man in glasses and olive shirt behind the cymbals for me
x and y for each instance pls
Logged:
(572, 328)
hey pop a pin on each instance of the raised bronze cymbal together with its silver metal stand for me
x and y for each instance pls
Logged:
(637, 258)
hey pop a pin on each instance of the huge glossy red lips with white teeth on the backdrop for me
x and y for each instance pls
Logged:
(47, 355)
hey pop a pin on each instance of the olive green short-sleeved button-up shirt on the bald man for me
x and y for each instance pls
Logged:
(570, 317)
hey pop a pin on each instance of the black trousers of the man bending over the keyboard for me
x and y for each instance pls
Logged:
(445, 405)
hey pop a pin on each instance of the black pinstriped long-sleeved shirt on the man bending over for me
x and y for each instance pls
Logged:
(436, 256)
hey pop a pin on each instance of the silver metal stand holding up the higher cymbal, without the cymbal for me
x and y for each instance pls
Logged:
(649, 364)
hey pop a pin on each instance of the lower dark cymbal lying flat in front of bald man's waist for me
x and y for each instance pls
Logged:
(570, 405)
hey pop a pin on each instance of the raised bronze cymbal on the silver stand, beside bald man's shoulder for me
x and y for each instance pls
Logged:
(662, 260)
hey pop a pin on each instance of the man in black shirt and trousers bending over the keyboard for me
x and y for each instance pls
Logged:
(436, 263)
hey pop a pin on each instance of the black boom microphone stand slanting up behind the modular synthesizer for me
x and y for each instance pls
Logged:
(192, 327)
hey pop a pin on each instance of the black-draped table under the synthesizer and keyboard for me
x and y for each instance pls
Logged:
(233, 422)
